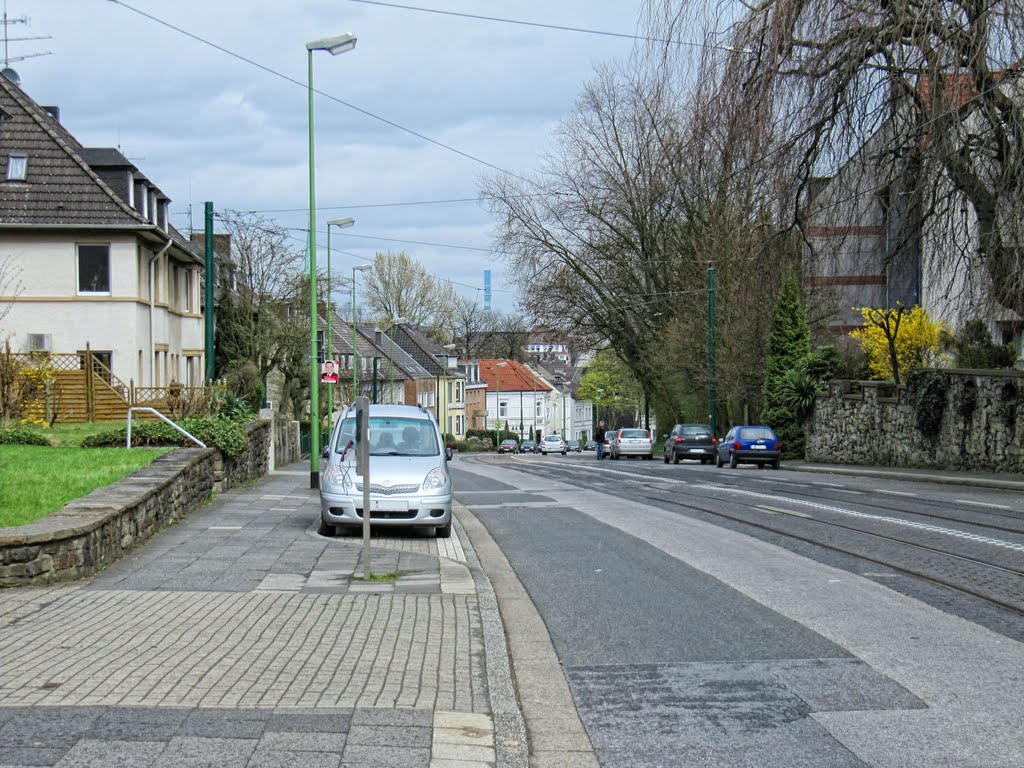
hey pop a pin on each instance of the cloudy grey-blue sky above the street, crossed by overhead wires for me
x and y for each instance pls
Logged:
(204, 125)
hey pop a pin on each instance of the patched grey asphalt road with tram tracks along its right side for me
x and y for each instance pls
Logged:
(732, 618)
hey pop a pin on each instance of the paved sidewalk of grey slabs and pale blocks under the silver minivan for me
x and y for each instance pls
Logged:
(241, 637)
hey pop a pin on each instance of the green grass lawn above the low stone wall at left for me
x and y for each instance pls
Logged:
(36, 481)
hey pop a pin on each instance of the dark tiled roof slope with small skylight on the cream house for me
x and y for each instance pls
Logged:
(62, 189)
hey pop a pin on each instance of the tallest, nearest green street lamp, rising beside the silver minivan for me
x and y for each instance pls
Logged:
(334, 47)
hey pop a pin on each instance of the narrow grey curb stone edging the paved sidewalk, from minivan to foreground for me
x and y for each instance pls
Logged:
(511, 746)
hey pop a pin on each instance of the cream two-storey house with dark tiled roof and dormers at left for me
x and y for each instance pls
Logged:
(99, 263)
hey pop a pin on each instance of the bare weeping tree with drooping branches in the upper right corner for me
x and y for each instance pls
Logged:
(936, 84)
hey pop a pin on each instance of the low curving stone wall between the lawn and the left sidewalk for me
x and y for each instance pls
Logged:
(97, 530)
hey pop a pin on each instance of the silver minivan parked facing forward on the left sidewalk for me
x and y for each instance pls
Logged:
(410, 484)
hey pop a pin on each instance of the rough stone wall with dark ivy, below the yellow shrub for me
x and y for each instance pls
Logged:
(872, 423)
